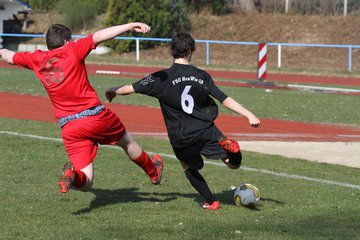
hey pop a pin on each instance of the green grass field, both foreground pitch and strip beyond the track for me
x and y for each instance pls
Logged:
(299, 199)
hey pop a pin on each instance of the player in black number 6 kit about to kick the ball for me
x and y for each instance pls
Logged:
(184, 93)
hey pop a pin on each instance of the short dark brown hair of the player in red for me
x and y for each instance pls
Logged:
(56, 35)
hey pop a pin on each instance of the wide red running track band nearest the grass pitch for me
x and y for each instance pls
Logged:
(148, 121)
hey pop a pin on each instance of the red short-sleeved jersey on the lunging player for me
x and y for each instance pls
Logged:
(62, 72)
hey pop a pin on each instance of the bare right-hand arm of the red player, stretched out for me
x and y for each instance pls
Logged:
(112, 32)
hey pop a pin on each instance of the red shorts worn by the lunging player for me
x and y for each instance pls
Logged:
(82, 136)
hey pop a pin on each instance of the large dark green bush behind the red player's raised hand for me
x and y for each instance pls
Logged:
(165, 17)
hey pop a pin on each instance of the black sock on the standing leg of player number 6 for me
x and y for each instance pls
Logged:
(199, 183)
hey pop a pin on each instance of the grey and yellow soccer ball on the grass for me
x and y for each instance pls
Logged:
(246, 195)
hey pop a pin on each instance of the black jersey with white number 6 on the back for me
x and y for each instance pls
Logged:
(184, 93)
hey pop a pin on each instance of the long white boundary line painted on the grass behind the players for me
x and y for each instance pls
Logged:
(285, 175)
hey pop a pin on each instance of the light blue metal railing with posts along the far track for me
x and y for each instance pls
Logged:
(208, 42)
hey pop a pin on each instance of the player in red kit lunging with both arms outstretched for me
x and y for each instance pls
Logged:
(85, 122)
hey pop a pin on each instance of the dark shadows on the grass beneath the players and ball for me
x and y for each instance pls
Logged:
(105, 197)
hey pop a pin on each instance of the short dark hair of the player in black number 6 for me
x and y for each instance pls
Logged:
(182, 45)
